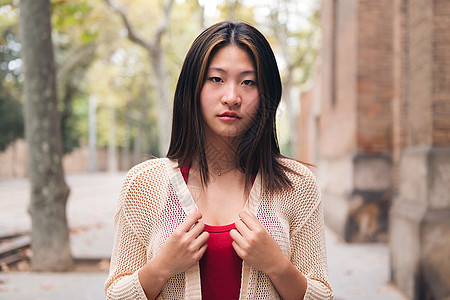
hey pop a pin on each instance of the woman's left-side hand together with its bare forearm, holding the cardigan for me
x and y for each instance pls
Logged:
(182, 250)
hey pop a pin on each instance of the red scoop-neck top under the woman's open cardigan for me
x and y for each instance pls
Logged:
(220, 266)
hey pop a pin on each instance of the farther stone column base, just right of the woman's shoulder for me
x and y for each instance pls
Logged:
(356, 192)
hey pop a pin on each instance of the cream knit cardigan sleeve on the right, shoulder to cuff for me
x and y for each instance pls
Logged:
(307, 232)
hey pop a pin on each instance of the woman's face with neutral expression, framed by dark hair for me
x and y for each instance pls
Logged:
(229, 98)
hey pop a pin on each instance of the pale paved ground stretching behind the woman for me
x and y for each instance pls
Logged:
(355, 271)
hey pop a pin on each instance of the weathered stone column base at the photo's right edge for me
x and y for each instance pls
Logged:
(419, 234)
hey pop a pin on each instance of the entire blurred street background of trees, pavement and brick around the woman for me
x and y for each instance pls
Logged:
(366, 90)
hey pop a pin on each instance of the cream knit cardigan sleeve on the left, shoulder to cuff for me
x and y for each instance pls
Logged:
(138, 209)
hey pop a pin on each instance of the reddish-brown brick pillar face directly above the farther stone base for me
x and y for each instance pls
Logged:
(374, 77)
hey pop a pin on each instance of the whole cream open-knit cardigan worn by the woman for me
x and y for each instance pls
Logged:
(155, 199)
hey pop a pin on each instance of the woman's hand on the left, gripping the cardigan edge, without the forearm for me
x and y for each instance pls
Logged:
(185, 246)
